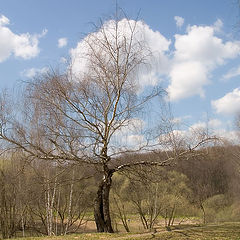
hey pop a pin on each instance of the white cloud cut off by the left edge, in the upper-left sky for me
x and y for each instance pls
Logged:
(20, 45)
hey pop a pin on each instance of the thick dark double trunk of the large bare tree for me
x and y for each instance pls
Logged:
(101, 204)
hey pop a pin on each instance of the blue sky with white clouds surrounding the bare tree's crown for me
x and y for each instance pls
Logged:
(203, 49)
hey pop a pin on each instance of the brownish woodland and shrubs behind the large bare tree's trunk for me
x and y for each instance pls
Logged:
(42, 198)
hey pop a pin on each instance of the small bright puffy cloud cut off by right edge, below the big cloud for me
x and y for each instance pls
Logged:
(229, 104)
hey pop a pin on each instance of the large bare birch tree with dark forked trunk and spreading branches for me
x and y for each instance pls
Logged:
(78, 116)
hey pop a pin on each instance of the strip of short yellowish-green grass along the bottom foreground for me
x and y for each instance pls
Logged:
(230, 231)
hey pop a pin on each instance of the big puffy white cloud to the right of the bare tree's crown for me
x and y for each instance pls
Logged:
(197, 53)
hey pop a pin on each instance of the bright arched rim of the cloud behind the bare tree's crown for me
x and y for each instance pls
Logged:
(157, 62)
